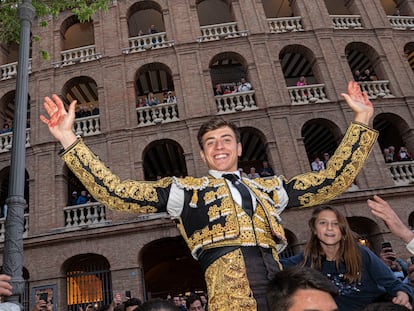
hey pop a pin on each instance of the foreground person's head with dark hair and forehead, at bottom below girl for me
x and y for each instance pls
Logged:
(300, 289)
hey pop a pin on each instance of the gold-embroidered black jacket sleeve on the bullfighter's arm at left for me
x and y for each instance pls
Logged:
(107, 188)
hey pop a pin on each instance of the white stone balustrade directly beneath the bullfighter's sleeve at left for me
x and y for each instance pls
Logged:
(84, 215)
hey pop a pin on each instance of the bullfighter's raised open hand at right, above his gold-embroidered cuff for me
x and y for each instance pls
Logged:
(359, 103)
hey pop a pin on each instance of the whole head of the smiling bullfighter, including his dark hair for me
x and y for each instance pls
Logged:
(220, 145)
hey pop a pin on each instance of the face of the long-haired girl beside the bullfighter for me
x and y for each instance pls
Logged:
(327, 229)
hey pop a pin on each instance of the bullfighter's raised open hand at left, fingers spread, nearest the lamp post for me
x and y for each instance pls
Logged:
(60, 121)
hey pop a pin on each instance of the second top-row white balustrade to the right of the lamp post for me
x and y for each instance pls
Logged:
(148, 42)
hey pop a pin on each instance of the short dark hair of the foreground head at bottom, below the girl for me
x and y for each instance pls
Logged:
(285, 284)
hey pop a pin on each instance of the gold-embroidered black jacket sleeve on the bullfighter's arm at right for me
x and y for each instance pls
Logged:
(314, 188)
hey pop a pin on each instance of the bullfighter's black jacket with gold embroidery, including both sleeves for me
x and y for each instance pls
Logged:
(209, 216)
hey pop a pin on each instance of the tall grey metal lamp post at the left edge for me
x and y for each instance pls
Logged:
(13, 245)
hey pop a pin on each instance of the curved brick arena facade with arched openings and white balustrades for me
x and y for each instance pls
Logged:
(108, 64)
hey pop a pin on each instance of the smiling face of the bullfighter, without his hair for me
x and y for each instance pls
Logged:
(220, 149)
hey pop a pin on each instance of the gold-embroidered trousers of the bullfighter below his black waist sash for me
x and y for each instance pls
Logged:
(227, 284)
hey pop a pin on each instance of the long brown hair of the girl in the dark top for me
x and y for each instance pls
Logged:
(348, 252)
